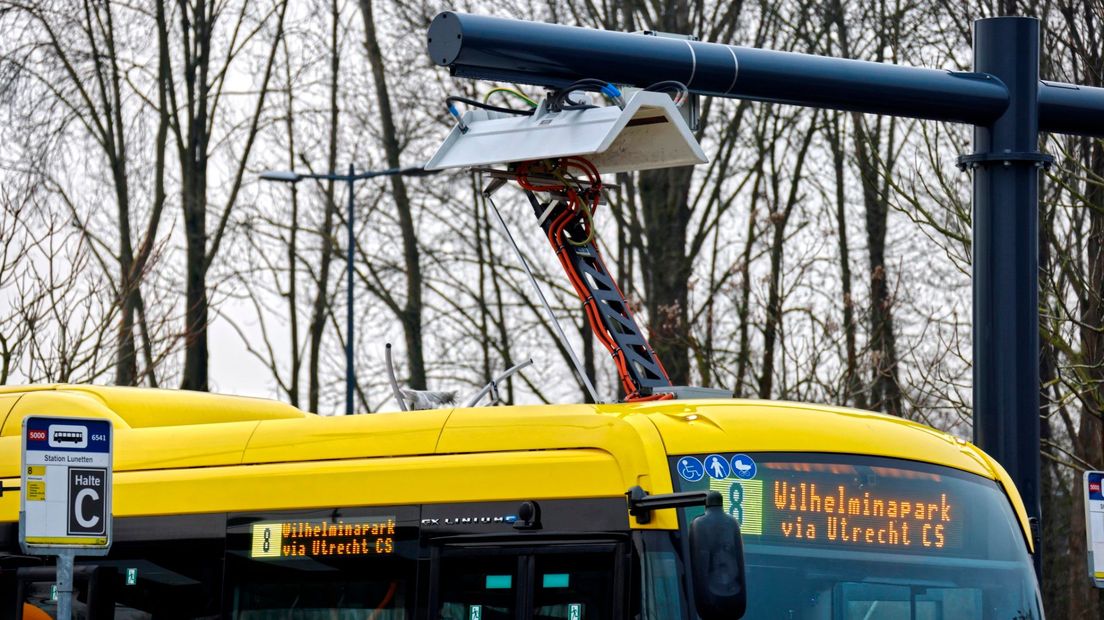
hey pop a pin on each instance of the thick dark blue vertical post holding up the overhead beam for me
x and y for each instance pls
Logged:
(1006, 166)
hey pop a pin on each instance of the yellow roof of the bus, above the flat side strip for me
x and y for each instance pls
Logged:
(621, 445)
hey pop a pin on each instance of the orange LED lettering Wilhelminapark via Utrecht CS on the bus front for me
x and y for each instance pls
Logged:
(844, 517)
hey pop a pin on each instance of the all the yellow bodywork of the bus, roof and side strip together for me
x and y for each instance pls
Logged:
(182, 453)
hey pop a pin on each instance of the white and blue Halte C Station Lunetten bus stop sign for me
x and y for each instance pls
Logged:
(67, 476)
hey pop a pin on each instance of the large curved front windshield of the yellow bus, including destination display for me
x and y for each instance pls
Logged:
(846, 537)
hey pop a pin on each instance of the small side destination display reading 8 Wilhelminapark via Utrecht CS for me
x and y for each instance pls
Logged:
(366, 537)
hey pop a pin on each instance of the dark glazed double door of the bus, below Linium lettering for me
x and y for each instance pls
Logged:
(529, 581)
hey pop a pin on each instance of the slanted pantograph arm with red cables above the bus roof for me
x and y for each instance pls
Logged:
(575, 190)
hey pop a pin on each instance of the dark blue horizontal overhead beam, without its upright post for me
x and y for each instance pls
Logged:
(544, 55)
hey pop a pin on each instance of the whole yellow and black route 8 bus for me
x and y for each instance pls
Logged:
(239, 508)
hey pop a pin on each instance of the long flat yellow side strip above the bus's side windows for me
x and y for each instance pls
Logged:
(399, 480)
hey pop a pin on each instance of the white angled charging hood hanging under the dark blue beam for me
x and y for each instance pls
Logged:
(649, 134)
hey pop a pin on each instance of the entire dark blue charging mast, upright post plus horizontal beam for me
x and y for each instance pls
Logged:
(1003, 99)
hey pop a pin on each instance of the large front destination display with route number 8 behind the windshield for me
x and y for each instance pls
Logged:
(837, 505)
